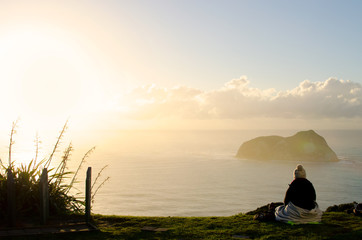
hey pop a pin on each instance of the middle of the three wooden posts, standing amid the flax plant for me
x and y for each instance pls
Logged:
(44, 196)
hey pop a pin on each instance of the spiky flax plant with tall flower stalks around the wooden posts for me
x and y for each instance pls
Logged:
(27, 176)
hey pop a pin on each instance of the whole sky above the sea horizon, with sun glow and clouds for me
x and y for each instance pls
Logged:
(198, 64)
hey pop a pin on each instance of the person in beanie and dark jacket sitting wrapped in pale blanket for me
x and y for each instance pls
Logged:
(300, 204)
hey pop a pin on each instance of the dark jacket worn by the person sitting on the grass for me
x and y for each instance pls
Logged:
(301, 193)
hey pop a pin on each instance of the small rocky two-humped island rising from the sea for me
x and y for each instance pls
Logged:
(303, 146)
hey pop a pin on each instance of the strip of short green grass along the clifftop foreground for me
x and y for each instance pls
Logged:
(335, 225)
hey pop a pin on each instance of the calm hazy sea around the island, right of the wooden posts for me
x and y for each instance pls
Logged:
(175, 173)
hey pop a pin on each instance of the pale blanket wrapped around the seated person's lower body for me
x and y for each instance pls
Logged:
(297, 215)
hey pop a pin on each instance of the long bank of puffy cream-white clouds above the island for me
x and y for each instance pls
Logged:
(332, 98)
